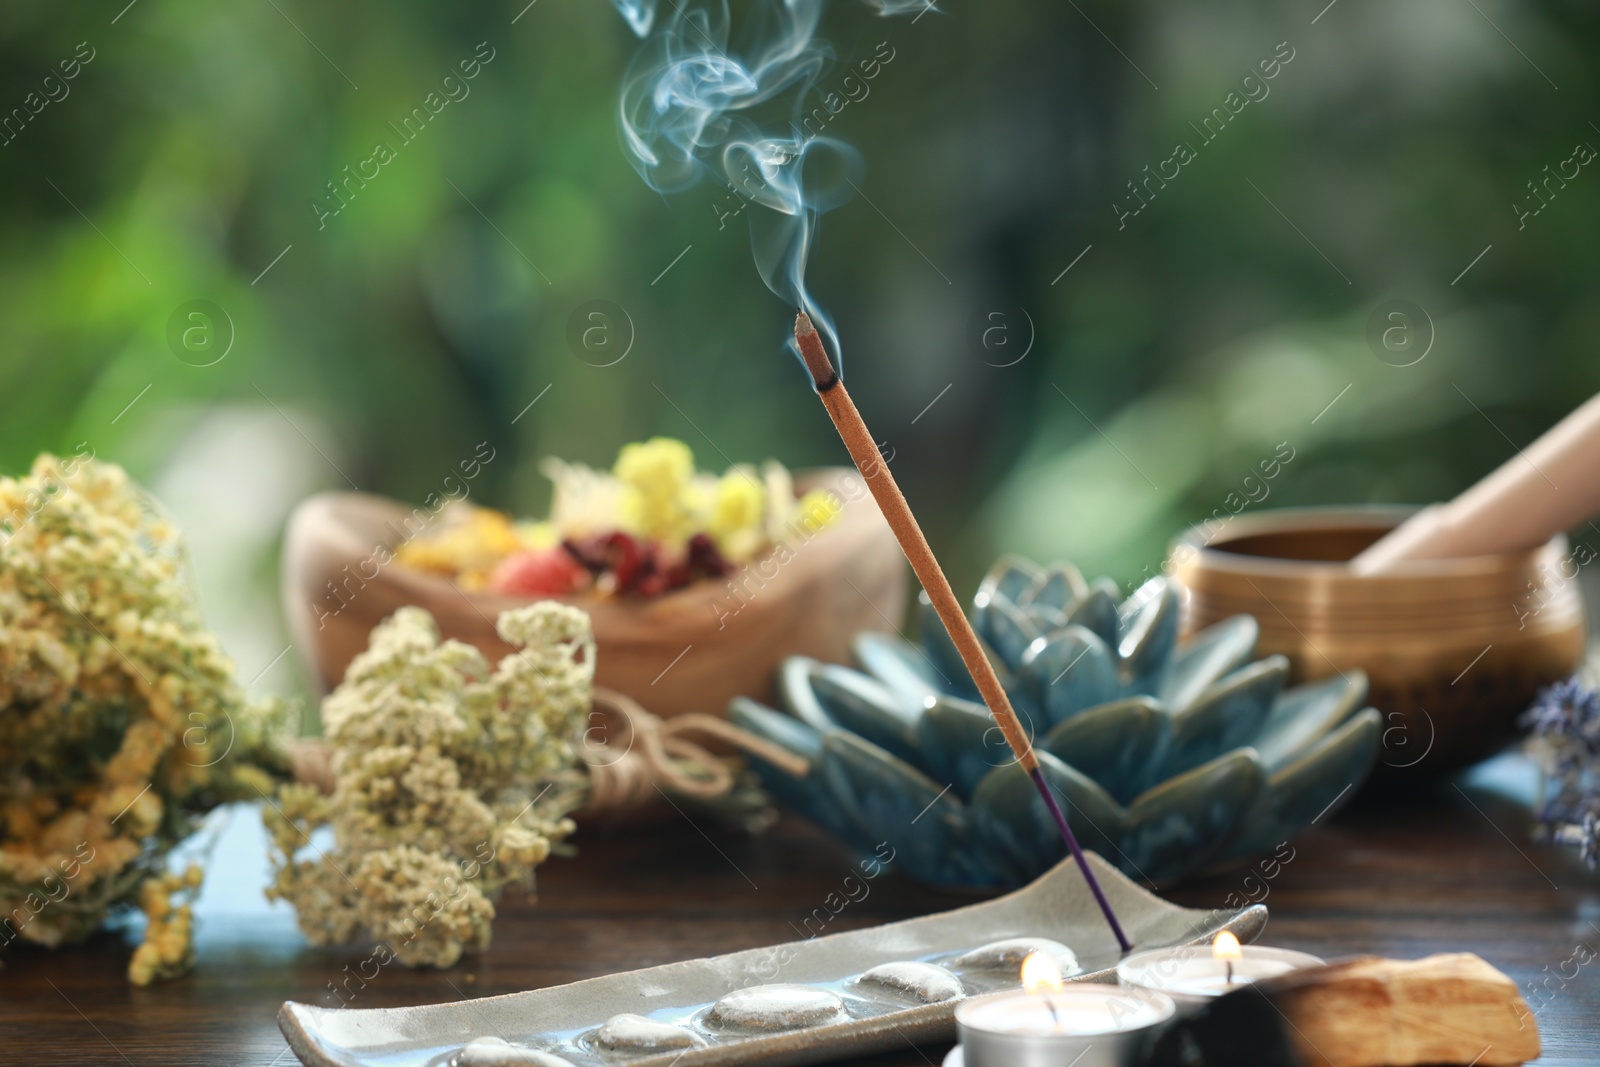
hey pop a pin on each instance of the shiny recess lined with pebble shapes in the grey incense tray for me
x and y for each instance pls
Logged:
(761, 1010)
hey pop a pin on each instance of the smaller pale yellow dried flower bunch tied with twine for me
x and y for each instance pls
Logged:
(452, 781)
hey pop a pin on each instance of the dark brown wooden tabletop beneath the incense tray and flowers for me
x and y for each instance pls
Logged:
(1402, 876)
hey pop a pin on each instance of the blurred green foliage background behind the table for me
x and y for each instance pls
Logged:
(377, 348)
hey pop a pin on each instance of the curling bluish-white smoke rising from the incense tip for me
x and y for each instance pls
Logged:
(700, 105)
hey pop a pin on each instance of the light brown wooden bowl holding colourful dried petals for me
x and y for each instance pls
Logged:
(690, 650)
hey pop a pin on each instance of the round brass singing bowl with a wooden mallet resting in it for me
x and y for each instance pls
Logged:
(1454, 650)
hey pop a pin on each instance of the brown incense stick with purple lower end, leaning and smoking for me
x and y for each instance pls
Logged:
(865, 452)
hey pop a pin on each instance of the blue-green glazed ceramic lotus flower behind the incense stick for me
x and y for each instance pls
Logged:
(1169, 759)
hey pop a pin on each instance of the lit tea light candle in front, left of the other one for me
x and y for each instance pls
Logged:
(1052, 1025)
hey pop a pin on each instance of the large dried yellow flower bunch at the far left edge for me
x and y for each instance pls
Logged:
(121, 719)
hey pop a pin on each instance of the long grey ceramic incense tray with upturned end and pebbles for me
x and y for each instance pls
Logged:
(804, 1002)
